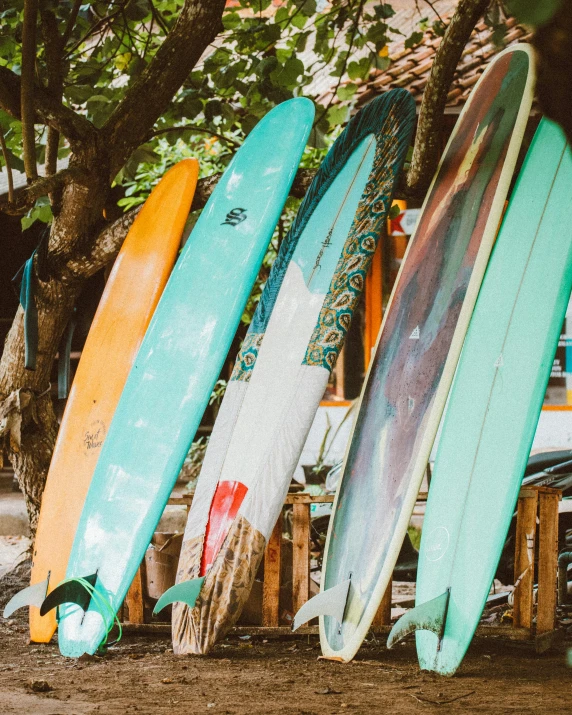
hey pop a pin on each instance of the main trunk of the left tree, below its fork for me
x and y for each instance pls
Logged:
(54, 298)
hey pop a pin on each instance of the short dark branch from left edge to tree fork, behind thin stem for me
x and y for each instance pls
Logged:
(48, 111)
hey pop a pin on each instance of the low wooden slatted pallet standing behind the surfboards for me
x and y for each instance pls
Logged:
(536, 536)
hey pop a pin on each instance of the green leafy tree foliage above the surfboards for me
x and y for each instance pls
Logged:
(89, 55)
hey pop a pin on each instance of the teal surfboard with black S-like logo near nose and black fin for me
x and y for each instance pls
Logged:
(175, 370)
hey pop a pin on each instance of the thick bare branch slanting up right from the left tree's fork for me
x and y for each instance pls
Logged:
(197, 25)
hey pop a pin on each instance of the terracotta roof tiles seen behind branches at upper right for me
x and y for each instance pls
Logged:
(410, 67)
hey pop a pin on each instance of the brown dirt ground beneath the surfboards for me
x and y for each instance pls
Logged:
(142, 675)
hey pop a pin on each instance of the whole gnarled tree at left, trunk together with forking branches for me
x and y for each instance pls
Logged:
(78, 247)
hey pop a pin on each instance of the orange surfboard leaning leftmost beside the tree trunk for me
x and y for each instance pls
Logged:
(133, 290)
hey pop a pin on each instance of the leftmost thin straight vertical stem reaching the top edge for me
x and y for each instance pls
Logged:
(27, 91)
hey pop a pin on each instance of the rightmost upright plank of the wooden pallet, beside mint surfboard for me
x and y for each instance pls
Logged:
(547, 562)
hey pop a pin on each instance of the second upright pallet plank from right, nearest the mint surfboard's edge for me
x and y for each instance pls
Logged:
(524, 559)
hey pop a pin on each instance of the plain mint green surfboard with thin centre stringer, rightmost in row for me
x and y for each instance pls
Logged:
(494, 406)
